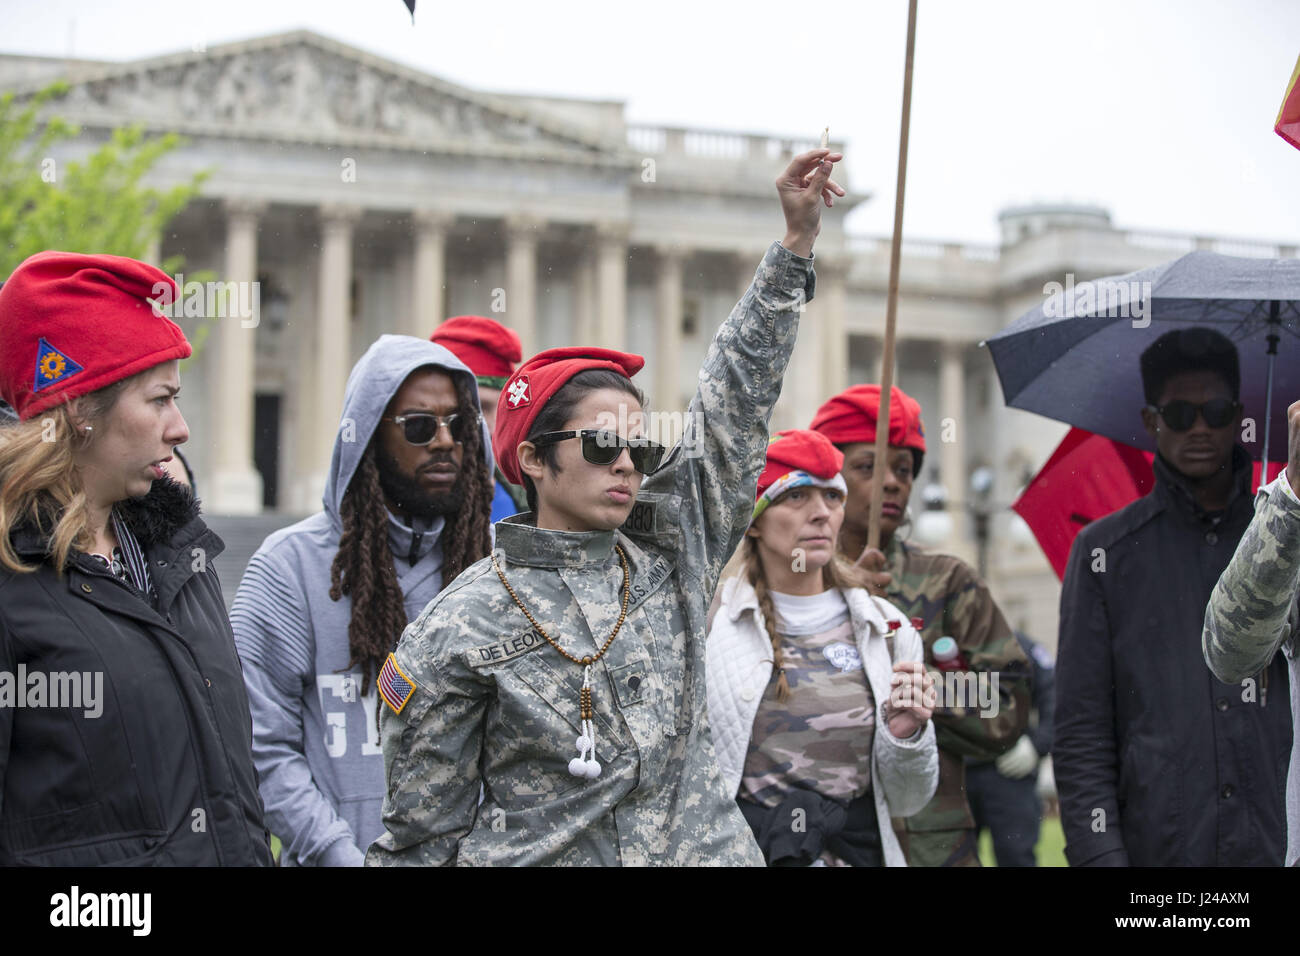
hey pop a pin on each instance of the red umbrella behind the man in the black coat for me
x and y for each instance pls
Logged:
(1087, 478)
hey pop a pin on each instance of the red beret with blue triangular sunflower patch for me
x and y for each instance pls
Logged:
(72, 325)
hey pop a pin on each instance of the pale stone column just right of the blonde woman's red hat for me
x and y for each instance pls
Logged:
(236, 485)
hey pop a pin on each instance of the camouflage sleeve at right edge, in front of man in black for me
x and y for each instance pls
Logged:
(1253, 611)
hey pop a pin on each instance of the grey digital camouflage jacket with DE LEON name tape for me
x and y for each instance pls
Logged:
(495, 704)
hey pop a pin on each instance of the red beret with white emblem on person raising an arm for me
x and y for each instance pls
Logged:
(532, 387)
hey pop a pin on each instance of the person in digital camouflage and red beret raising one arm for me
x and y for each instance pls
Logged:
(564, 677)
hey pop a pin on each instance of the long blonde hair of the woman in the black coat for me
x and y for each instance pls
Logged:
(41, 483)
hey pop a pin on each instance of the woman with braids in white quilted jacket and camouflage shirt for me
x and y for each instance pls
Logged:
(817, 691)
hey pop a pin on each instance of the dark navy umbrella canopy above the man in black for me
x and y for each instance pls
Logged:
(1074, 358)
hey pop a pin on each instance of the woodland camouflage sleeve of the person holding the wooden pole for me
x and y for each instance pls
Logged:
(989, 644)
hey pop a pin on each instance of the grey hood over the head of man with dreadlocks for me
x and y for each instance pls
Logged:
(375, 379)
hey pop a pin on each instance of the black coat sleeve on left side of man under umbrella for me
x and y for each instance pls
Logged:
(1085, 755)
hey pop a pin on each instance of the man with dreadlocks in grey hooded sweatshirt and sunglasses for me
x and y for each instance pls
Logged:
(324, 602)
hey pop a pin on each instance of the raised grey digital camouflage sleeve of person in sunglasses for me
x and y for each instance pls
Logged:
(716, 466)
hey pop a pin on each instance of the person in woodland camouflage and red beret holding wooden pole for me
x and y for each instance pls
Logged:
(950, 599)
